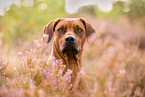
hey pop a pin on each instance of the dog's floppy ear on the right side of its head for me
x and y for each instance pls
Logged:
(89, 29)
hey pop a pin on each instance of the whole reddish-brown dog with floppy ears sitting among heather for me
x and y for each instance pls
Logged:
(69, 37)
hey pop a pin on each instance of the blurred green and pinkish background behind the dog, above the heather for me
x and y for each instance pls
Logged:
(22, 21)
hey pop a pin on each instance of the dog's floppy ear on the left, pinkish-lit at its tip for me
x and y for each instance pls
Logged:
(48, 30)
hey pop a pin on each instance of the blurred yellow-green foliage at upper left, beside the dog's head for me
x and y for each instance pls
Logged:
(25, 22)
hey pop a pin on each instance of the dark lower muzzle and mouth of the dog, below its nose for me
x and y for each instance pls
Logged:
(69, 48)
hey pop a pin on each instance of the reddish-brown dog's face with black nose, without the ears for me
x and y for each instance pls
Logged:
(70, 35)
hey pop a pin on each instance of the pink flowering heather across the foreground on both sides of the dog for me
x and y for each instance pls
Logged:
(111, 70)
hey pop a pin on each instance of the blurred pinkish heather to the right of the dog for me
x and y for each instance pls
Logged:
(117, 70)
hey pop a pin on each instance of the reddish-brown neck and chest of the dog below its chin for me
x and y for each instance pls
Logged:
(71, 60)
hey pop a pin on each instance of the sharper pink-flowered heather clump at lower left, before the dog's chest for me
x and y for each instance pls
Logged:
(36, 77)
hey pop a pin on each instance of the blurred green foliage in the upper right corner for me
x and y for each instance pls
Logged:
(132, 9)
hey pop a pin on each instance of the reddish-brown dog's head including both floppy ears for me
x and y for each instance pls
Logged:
(69, 34)
